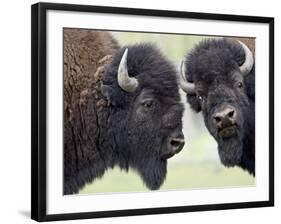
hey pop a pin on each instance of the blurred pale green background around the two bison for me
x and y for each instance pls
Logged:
(198, 164)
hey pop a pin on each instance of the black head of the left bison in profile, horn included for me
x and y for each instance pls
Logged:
(141, 86)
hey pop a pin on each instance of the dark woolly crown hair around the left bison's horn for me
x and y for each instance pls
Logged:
(151, 68)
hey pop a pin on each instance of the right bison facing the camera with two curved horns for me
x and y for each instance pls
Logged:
(219, 80)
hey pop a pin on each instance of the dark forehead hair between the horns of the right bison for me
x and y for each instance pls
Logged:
(212, 58)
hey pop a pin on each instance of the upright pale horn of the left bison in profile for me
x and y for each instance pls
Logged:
(129, 84)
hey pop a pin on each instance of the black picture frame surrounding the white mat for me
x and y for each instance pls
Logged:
(39, 122)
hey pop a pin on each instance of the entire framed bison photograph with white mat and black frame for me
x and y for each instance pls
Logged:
(138, 111)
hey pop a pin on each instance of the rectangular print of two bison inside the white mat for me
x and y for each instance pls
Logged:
(119, 138)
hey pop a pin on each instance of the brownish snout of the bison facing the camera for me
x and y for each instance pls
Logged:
(225, 117)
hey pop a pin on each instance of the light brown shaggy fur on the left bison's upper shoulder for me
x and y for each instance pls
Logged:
(86, 53)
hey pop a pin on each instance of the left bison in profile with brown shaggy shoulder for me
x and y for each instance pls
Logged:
(121, 108)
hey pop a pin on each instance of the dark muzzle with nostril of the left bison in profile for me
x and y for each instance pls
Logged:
(175, 145)
